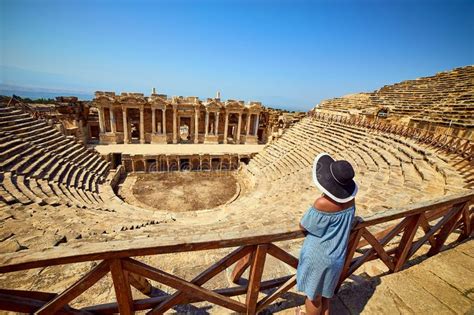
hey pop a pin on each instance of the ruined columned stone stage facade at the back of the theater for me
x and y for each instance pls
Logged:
(134, 118)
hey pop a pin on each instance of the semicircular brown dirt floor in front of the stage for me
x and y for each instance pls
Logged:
(184, 191)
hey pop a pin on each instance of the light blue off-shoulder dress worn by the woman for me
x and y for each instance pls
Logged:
(323, 252)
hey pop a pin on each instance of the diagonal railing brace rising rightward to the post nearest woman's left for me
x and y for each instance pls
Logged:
(203, 277)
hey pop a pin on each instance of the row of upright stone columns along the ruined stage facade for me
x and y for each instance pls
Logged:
(126, 134)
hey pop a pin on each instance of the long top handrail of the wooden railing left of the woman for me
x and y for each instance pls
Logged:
(141, 247)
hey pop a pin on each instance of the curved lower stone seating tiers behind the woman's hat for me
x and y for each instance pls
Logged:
(381, 160)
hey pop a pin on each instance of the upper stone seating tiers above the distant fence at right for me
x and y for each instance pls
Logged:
(443, 99)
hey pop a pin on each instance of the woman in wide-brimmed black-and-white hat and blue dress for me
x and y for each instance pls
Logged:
(327, 223)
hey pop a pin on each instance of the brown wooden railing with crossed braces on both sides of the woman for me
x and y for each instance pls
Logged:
(392, 236)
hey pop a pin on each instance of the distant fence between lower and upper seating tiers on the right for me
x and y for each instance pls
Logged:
(449, 143)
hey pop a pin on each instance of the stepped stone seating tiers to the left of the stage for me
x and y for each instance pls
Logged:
(38, 165)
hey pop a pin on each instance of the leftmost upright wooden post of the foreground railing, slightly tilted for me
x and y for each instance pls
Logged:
(123, 292)
